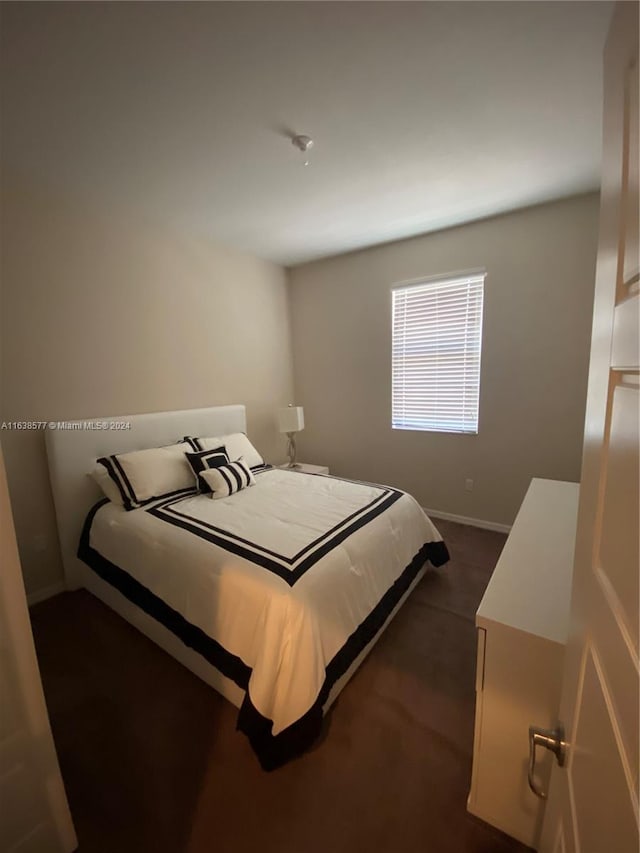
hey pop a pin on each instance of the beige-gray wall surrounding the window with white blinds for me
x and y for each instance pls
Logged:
(540, 266)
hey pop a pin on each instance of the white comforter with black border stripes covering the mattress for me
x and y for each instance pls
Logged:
(279, 586)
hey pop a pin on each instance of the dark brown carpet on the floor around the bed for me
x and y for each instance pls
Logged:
(152, 761)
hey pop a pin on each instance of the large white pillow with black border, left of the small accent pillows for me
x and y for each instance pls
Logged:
(145, 475)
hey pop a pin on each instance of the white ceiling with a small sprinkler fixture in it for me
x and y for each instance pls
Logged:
(424, 114)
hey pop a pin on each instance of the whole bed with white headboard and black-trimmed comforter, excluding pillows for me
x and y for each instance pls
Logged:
(273, 595)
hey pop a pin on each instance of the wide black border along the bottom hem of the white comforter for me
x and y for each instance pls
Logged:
(272, 750)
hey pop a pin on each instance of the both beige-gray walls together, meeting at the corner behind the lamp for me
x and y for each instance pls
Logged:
(103, 314)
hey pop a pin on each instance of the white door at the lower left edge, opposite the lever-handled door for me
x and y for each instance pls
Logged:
(34, 816)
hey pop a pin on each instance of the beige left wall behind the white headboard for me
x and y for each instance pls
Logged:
(106, 315)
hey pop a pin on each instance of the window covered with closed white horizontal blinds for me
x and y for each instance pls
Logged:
(437, 338)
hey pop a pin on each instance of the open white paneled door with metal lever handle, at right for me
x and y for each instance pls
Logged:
(593, 799)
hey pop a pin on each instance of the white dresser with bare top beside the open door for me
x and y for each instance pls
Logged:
(522, 624)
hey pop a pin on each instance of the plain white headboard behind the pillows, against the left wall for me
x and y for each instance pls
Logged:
(72, 453)
